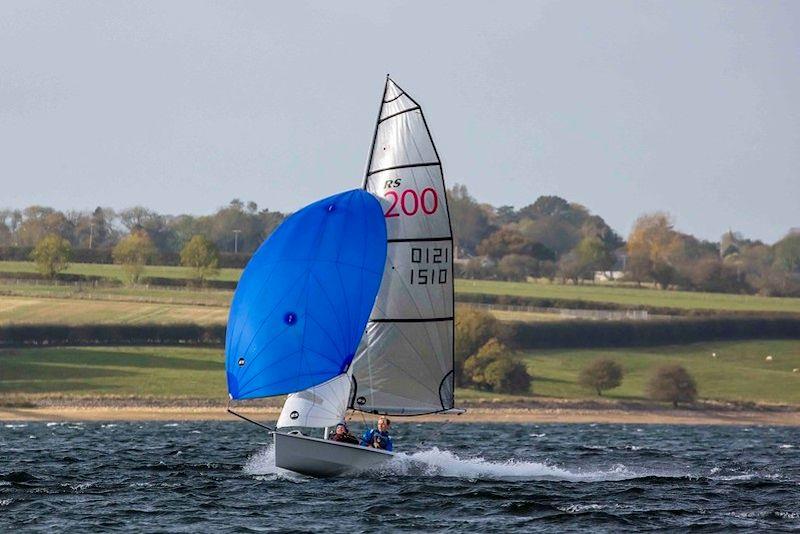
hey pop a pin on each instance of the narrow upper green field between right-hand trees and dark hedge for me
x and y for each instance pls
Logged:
(629, 296)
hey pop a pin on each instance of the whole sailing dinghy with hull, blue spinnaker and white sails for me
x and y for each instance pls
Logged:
(349, 303)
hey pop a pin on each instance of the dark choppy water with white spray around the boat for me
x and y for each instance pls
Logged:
(219, 476)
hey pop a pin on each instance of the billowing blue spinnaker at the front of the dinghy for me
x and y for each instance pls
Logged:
(304, 299)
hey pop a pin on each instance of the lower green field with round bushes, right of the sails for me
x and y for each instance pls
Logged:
(739, 373)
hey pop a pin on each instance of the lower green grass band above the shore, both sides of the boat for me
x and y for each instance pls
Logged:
(738, 374)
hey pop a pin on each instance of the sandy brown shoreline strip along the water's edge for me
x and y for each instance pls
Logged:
(99, 412)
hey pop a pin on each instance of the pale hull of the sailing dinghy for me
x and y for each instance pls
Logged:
(323, 458)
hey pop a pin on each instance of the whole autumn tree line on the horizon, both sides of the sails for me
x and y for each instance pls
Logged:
(550, 238)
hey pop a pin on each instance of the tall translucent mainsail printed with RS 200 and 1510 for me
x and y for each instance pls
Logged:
(405, 361)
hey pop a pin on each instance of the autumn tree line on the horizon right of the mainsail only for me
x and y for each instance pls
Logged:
(560, 240)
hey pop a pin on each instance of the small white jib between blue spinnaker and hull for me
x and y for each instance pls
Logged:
(319, 406)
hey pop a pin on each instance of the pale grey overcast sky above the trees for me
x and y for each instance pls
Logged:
(625, 107)
